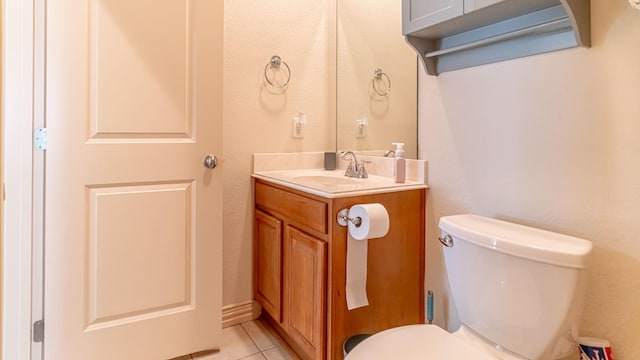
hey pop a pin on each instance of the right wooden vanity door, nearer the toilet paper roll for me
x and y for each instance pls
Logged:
(305, 288)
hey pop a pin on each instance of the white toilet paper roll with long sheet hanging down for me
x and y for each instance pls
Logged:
(374, 223)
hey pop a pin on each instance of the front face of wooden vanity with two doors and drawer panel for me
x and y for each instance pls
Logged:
(290, 260)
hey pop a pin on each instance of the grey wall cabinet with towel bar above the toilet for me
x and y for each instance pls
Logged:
(454, 34)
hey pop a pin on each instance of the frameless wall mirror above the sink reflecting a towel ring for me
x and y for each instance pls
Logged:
(376, 79)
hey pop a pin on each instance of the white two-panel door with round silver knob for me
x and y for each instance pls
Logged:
(133, 219)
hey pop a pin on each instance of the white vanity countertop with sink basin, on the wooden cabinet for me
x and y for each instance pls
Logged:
(333, 183)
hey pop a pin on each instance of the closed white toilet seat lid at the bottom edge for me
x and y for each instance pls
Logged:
(415, 342)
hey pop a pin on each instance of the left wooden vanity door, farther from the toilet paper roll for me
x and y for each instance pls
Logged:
(267, 253)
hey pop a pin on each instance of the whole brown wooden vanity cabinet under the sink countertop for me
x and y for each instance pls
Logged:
(300, 264)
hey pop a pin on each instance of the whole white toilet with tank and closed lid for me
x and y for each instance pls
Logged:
(518, 291)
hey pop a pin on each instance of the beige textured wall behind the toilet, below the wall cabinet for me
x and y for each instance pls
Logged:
(551, 141)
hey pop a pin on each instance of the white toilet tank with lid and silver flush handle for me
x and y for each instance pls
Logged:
(518, 287)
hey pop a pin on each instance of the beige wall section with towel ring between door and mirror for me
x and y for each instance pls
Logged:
(256, 119)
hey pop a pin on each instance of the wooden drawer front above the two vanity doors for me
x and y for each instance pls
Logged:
(303, 210)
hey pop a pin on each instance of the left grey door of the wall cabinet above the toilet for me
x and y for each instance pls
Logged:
(418, 14)
